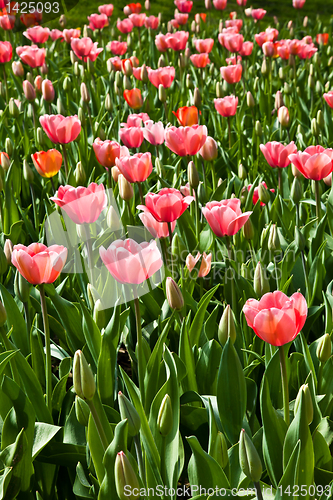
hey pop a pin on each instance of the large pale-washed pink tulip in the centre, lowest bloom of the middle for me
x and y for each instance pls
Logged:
(131, 262)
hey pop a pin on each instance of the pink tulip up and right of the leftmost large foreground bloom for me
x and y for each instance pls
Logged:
(82, 205)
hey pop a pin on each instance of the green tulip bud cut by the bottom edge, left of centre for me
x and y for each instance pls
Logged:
(125, 477)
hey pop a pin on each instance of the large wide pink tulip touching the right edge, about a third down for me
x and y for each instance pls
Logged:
(315, 162)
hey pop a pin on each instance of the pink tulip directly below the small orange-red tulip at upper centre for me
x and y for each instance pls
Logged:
(186, 140)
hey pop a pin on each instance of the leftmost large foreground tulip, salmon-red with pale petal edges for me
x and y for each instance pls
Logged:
(38, 263)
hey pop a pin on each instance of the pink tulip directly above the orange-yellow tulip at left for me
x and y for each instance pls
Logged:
(61, 129)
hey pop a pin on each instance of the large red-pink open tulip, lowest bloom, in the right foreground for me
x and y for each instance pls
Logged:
(276, 318)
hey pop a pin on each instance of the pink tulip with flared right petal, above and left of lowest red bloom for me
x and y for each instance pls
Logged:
(225, 217)
